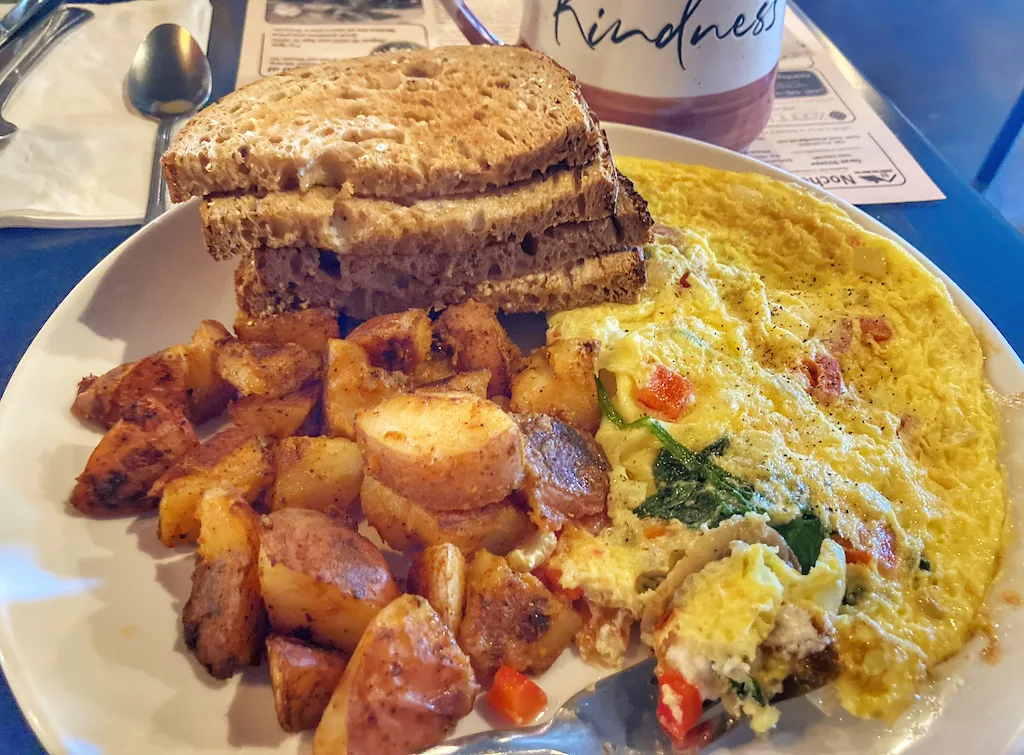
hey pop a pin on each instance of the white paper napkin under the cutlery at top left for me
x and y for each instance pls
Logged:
(82, 156)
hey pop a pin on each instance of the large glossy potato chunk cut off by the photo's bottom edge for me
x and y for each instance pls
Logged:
(405, 689)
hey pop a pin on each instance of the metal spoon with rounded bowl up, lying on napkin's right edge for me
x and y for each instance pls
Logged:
(169, 79)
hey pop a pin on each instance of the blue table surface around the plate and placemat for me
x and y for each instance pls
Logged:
(964, 235)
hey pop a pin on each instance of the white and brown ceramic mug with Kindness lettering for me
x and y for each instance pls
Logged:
(701, 68)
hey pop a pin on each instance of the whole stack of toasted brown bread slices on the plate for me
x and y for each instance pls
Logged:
(417, 180)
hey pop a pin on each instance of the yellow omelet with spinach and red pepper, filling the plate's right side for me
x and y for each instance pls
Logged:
(819, 380)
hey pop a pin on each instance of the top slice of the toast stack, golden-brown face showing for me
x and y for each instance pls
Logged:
(433, 122)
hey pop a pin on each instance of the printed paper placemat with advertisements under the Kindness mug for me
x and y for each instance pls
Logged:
(822, 130)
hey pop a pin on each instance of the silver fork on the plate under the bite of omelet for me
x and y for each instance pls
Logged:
(616, 717)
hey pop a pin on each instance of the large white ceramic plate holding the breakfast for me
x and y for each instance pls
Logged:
(91, 611)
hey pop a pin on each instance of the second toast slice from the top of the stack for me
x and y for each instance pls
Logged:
(326, 219)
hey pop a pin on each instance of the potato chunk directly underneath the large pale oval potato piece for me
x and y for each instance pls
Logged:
(403, 524)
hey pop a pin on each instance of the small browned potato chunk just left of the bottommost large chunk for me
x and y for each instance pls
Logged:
(304, 678)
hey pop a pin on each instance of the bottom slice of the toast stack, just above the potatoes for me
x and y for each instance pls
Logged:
(616, 277)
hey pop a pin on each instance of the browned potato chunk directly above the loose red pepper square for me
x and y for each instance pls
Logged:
(513, 619)
